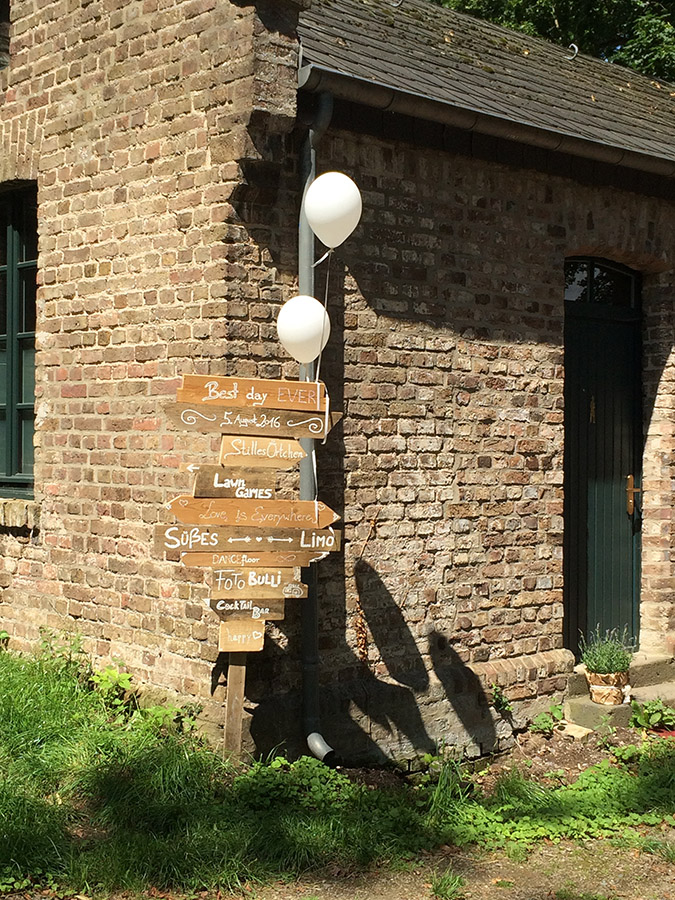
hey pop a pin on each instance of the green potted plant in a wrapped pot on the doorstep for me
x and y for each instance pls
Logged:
(607, 658)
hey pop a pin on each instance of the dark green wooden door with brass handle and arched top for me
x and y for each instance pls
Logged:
(602, 448)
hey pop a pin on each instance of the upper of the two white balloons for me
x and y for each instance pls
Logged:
(333, 207)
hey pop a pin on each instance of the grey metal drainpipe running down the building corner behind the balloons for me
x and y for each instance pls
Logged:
(310, 612)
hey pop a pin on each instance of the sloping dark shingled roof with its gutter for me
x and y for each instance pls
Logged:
(435, 63)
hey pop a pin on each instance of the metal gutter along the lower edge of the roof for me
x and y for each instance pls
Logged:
(315, 78)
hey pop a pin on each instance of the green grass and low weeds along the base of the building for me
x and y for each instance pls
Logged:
(96, 795)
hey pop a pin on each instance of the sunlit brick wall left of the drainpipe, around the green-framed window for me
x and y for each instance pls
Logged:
(133, 118)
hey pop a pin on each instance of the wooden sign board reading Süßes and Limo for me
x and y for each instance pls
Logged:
(246, 540)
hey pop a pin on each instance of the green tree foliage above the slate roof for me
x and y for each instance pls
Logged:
(635, 33)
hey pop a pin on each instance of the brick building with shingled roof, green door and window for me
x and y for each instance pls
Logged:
(501, 347)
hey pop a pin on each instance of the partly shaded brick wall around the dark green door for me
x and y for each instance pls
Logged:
(446, 355)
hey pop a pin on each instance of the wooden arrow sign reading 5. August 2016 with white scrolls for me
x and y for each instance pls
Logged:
(270, 423)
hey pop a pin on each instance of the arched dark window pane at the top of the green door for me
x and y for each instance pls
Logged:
(597, 281)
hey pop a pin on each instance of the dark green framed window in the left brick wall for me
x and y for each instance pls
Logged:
(18, 281)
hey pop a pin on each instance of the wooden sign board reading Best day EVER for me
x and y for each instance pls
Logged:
(252, 392)
